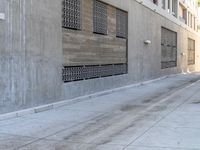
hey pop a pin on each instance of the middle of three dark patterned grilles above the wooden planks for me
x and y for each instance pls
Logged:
(100, 17)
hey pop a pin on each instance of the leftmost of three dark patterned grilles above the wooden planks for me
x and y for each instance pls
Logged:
(71, 14)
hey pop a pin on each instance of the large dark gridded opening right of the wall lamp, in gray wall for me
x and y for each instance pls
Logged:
(168, 48)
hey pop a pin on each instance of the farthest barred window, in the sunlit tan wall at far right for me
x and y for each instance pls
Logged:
(191, 52)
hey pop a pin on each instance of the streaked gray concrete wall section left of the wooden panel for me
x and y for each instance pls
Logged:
(31, 44)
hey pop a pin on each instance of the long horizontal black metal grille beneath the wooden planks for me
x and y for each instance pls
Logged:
(75, 73)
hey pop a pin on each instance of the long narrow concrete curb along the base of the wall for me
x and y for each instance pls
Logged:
(51, 106)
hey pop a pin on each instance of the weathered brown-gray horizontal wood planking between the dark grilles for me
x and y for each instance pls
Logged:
(83, 47)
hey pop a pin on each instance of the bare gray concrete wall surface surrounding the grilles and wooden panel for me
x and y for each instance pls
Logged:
(32, 55)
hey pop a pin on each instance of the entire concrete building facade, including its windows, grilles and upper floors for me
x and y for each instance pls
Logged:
(65, 49)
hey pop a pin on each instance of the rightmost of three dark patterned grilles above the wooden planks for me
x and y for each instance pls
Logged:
(121, 22)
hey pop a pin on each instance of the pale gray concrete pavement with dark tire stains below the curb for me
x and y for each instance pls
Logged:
(162, 115)
